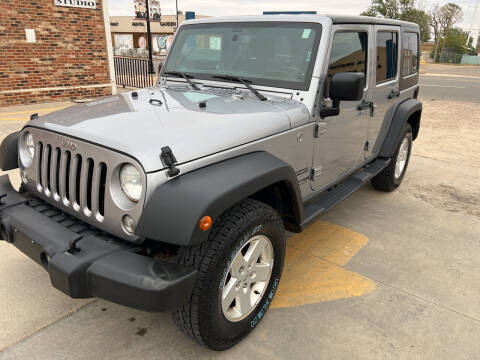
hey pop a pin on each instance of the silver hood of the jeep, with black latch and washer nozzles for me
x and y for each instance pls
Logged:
(141, 125)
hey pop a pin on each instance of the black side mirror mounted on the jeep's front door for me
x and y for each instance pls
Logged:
(345, 86)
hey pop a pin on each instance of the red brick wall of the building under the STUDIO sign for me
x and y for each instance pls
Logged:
(70, 52)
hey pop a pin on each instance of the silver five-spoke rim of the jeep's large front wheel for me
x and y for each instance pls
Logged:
(247, 278)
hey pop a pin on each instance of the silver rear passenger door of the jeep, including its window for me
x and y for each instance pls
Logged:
(384, 83)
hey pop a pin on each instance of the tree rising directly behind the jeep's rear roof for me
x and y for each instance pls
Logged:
(400, 10)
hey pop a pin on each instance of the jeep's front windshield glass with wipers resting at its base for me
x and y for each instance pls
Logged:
(270, 54)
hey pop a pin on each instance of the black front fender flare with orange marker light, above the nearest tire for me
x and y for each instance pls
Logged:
(173, 212)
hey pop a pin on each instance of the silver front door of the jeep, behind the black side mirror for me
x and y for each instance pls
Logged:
(340, 140)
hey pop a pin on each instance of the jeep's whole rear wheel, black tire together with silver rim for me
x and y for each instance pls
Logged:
(392, 176)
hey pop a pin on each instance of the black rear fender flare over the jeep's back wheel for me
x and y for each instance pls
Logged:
(401, 116)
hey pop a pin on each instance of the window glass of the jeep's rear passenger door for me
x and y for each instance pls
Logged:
(387, 50)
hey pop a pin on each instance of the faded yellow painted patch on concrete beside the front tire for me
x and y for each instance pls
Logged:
(314, 269)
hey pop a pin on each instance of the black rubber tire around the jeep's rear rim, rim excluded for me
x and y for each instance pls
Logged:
(385, 180)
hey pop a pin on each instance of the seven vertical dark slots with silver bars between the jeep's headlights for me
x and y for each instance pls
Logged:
(71, 179)
